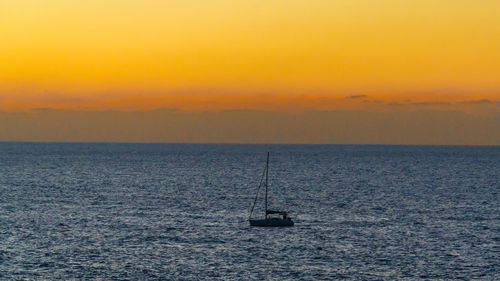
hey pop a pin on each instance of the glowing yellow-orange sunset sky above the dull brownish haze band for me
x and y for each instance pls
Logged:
(384, 56)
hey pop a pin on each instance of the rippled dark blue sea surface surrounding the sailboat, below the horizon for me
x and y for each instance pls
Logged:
(180, 212)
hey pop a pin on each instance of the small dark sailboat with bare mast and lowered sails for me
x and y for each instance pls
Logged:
(269, 220)
